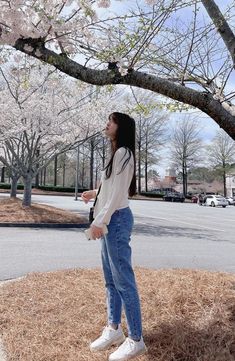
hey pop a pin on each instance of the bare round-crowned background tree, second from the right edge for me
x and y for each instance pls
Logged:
(185, 147)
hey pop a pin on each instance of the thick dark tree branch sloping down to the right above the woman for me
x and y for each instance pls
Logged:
(201, 100)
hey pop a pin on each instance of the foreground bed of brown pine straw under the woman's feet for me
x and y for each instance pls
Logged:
(187, 315)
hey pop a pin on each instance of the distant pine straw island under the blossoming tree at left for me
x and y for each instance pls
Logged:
(12, 211)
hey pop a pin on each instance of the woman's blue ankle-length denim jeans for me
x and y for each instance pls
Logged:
(119, 277)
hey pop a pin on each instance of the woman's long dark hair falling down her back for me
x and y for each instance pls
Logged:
(125, 137)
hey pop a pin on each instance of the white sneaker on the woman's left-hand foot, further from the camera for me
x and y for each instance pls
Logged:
(108, 338)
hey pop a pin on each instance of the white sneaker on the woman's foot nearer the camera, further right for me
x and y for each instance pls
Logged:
(128, 350)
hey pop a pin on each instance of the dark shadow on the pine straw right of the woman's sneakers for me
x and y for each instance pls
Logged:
(188, 343)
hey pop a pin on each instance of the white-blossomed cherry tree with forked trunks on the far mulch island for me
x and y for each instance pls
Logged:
(42, 116)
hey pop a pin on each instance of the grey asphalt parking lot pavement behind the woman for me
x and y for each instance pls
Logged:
(166, 235)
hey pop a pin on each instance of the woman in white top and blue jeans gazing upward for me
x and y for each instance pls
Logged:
(111, 209)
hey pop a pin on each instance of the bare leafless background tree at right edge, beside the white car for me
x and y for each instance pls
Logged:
(221, 154)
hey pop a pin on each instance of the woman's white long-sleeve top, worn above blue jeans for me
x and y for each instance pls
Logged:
(113, 193)
